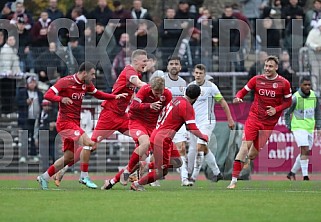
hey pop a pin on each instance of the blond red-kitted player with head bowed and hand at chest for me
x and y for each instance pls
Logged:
(143, 114)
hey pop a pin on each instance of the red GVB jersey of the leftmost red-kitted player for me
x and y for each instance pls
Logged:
(73, 88)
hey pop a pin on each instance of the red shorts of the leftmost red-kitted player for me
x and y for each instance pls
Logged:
(70, 133)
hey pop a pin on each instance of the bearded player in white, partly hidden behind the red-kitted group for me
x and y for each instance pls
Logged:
(177, 86)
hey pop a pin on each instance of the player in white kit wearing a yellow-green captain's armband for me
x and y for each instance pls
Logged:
(205, 121)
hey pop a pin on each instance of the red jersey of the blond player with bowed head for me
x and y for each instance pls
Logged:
(140, 107)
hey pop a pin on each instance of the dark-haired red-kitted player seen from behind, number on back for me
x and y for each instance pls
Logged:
(178, 112)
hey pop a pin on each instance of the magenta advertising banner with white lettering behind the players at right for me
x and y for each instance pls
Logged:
(280, 152)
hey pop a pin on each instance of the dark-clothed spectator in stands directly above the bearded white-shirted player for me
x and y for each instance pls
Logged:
(169, 36)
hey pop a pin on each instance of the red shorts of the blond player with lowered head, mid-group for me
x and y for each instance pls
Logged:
(138, 128)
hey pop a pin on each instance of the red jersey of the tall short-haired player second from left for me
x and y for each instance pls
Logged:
(122, 85)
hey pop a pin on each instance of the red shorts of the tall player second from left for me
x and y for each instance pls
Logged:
(108, 123)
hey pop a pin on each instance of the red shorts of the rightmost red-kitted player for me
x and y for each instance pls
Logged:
(257, 132)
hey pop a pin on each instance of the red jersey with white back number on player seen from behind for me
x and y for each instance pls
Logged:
(172, 117)
